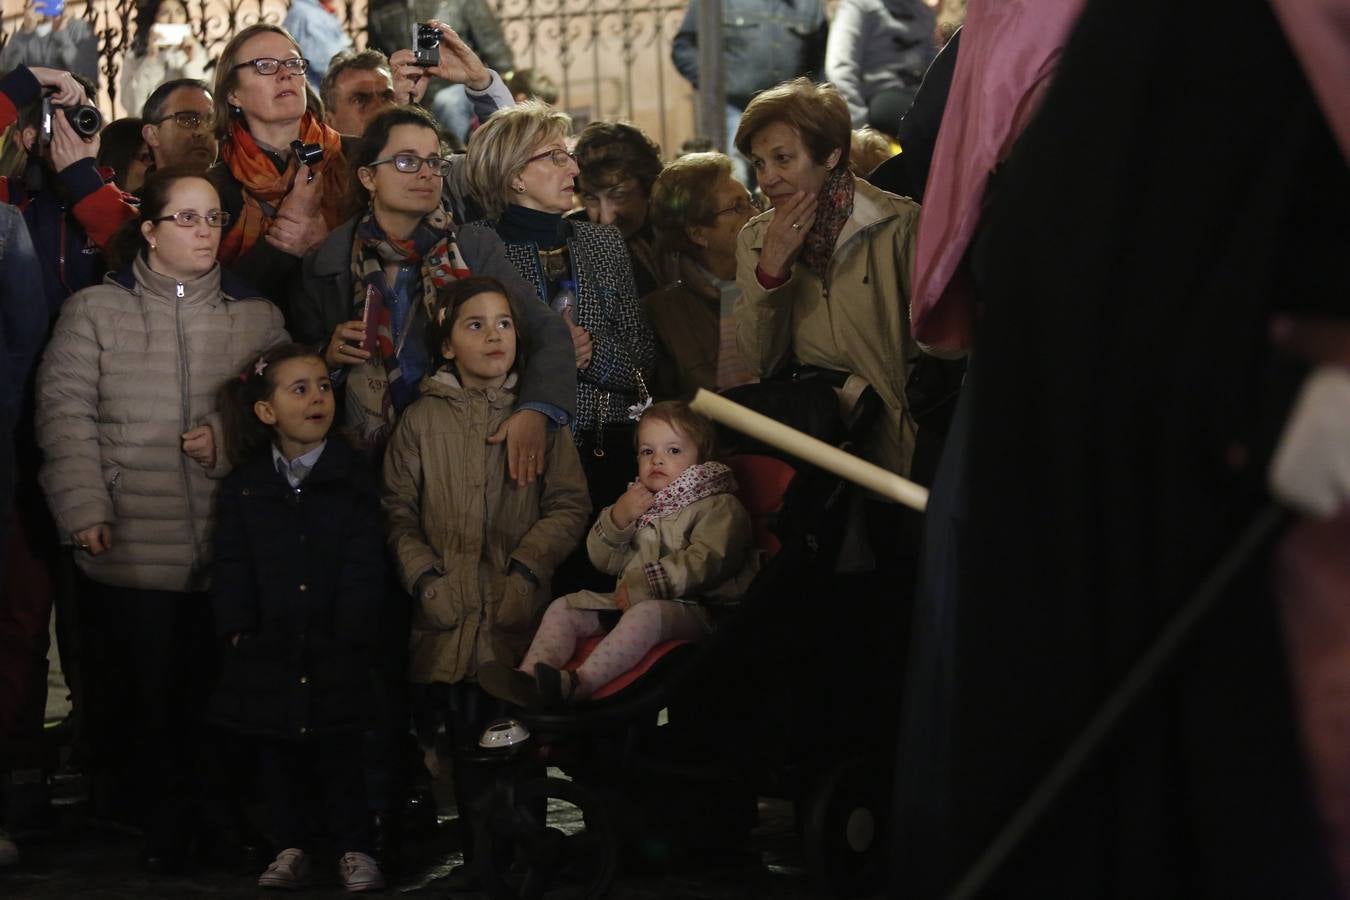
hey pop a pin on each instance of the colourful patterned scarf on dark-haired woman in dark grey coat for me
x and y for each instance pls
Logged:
(434, 246)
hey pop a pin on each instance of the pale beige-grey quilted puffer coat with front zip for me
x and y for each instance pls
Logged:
(132, 366)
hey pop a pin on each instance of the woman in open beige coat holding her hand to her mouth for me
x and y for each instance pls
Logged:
(826, 273)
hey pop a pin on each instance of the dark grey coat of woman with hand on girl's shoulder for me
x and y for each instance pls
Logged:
(323, 300)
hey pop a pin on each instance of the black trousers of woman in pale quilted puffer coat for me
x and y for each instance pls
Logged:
(151, 662)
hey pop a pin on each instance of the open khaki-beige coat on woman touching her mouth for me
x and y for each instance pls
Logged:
(858, 320)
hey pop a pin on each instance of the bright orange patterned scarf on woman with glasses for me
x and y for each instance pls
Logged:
(264, 188)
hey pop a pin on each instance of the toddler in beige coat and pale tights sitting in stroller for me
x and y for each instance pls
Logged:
(681, 546)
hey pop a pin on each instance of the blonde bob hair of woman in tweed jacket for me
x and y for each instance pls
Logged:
(502, 149)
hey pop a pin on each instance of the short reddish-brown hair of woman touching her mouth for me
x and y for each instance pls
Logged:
(817, 113)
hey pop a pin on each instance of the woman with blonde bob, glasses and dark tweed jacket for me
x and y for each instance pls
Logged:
(522, 173)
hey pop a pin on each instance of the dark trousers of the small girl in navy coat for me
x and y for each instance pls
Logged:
(300, 778)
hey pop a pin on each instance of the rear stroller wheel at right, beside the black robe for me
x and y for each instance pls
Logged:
(843, 831)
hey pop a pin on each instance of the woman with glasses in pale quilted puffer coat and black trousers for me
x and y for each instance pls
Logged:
(128, 424)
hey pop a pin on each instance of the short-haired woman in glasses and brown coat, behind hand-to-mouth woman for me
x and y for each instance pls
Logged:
(697, 210)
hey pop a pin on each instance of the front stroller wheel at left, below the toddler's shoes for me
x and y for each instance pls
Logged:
(547, 840)
